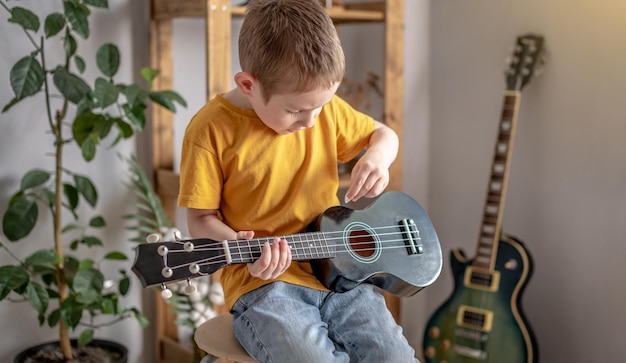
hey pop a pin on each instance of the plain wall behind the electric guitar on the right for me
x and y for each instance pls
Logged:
(567, 190)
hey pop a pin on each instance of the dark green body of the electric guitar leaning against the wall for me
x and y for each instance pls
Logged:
(506, 337)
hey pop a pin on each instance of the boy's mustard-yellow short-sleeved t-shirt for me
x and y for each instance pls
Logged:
(265, 182)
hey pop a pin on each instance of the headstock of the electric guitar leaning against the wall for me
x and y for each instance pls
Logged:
(525, 61)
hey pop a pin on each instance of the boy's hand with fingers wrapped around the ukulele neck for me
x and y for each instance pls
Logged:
(274, 260)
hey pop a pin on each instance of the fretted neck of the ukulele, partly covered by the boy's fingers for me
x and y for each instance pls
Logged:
(304, 246)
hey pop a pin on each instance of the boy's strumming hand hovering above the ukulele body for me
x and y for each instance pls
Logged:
(368, 178)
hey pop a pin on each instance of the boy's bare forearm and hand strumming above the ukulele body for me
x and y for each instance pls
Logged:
(370, 175)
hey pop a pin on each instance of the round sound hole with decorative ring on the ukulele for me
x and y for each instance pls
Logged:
(362, 242)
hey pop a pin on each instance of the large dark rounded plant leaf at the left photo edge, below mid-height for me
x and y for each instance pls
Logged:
(20, 219)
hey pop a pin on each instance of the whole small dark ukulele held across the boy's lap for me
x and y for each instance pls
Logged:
(391, 244)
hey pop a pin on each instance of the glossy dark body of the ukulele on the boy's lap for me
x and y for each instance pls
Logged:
(374, 247)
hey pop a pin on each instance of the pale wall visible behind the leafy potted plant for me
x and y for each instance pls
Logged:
(24, 144)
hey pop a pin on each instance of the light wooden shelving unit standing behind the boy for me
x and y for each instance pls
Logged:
(218, 15)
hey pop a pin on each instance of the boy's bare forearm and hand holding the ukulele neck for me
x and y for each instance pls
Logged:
(274, 260)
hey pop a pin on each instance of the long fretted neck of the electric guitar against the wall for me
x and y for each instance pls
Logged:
(496, 192)
